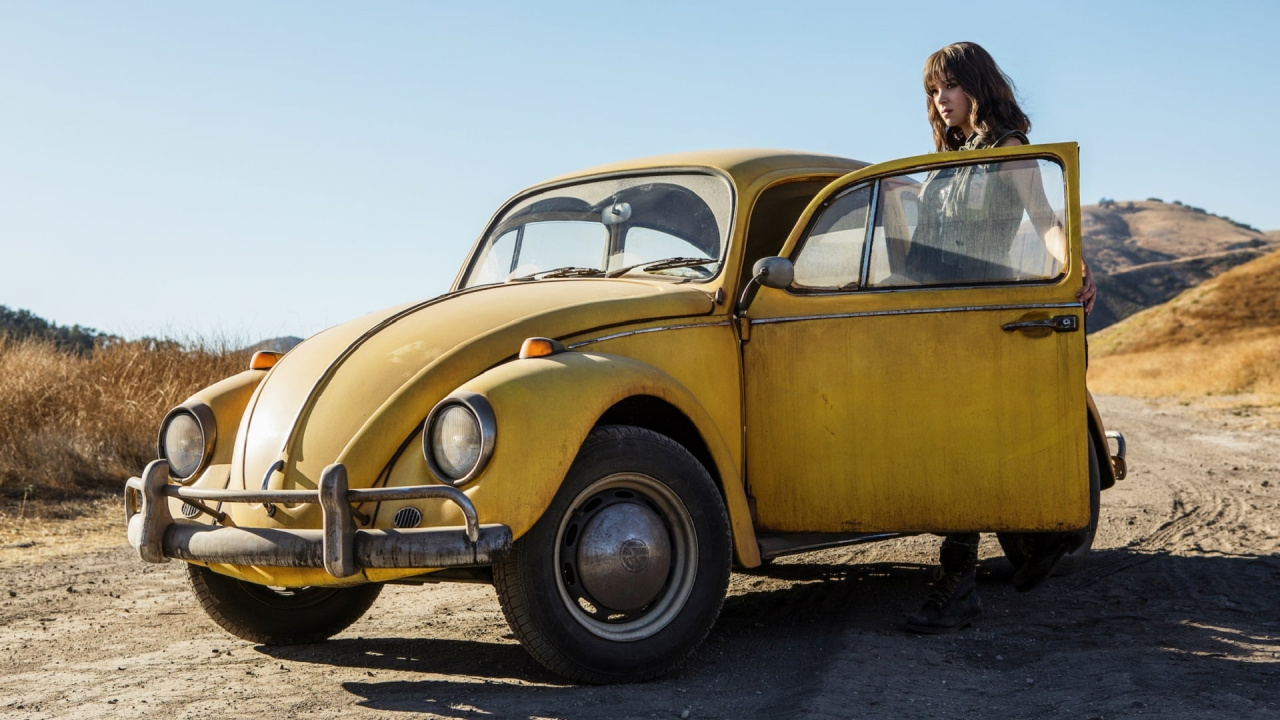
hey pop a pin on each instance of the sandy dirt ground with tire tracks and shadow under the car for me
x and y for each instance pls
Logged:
(1176, 617)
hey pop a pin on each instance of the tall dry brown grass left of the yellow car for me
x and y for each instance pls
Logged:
(79, 426)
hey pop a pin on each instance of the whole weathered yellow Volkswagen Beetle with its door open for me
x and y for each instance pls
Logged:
(644, 376)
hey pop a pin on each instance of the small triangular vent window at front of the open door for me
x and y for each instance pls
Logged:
(831, 257)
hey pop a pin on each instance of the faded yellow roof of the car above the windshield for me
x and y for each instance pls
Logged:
(744, 166)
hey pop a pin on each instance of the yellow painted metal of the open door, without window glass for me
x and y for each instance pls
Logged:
(912, 409)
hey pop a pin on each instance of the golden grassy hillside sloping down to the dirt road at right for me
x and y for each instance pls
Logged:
(1219, 338)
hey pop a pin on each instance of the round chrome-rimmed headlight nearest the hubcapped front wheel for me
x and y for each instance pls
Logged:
(459, 438)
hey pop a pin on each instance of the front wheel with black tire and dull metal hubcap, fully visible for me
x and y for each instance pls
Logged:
(601, 607)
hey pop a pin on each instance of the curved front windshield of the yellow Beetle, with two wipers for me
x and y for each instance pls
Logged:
(671, 225)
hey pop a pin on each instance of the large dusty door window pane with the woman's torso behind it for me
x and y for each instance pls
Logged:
(971, 225)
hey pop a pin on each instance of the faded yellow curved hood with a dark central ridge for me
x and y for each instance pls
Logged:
(356, 393)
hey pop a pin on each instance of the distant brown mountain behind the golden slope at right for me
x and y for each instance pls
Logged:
(1145, 253)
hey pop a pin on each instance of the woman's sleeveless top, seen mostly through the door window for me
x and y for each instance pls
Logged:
(968, 220)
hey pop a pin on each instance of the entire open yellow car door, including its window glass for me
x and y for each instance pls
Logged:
(925, 371)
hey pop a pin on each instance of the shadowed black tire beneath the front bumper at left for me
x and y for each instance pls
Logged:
(271, 616)
